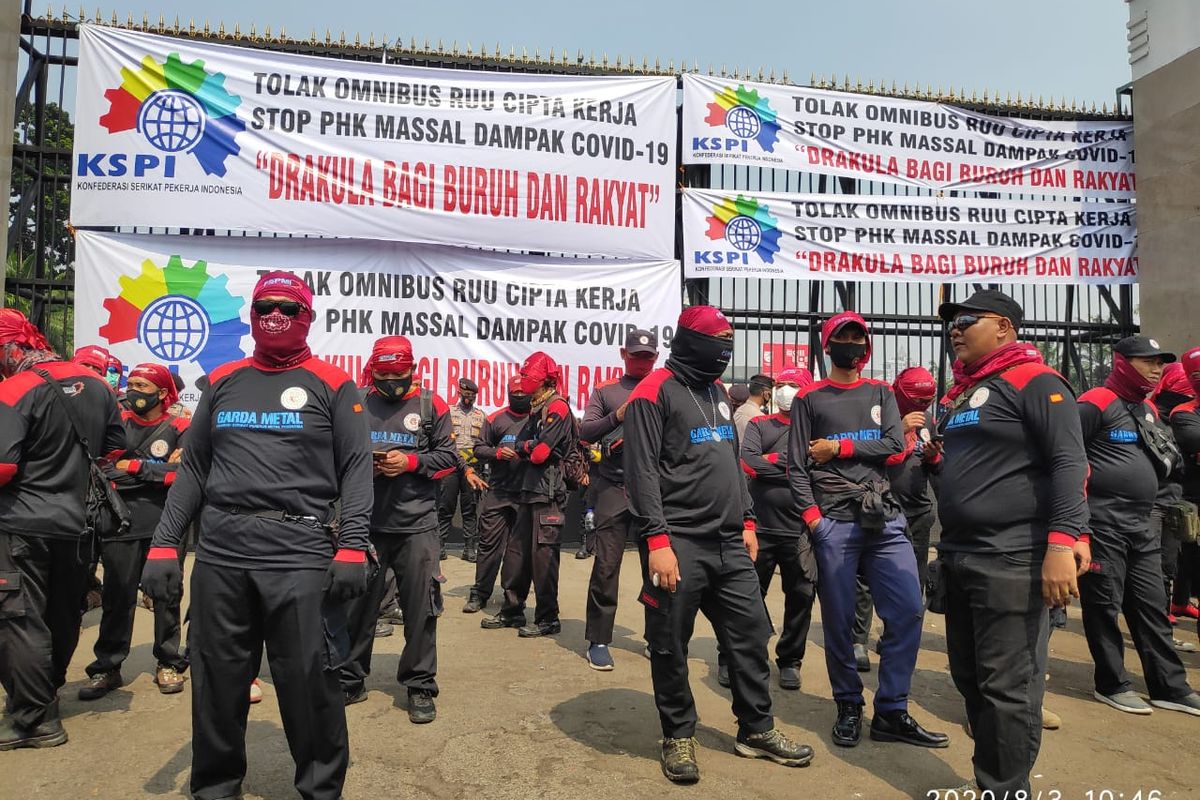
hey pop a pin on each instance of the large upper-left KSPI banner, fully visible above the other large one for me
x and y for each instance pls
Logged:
(179, 134)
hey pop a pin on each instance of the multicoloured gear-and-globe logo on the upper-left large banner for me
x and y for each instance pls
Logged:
(188, 107)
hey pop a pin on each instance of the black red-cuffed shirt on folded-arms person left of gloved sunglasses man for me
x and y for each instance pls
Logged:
(149, 476)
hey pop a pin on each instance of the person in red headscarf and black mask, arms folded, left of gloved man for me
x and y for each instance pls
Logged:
(143, 476)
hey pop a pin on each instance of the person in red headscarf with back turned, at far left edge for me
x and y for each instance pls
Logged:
(45, 542)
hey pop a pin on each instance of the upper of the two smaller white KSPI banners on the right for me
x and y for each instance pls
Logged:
(902, 141)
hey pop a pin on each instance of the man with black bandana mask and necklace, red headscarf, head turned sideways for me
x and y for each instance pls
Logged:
(694, 518)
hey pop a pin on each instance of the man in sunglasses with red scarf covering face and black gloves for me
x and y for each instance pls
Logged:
(277, 442)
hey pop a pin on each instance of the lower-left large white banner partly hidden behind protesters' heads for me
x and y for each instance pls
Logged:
(184, 302)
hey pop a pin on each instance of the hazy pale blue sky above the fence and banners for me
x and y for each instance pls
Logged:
(1073, 49)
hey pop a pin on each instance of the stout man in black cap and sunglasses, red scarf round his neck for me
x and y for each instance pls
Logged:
(1011, 500)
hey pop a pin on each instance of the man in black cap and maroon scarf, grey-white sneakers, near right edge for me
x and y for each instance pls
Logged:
(1126, 574)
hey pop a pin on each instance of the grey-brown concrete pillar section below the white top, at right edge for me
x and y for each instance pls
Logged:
(1167, 130)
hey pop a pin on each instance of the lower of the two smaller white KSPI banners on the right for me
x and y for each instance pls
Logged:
(907, 239)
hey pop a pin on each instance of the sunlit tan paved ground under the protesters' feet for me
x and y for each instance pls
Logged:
(525, 719)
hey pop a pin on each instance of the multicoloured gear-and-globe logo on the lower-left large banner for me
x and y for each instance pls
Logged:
(181, 314)
